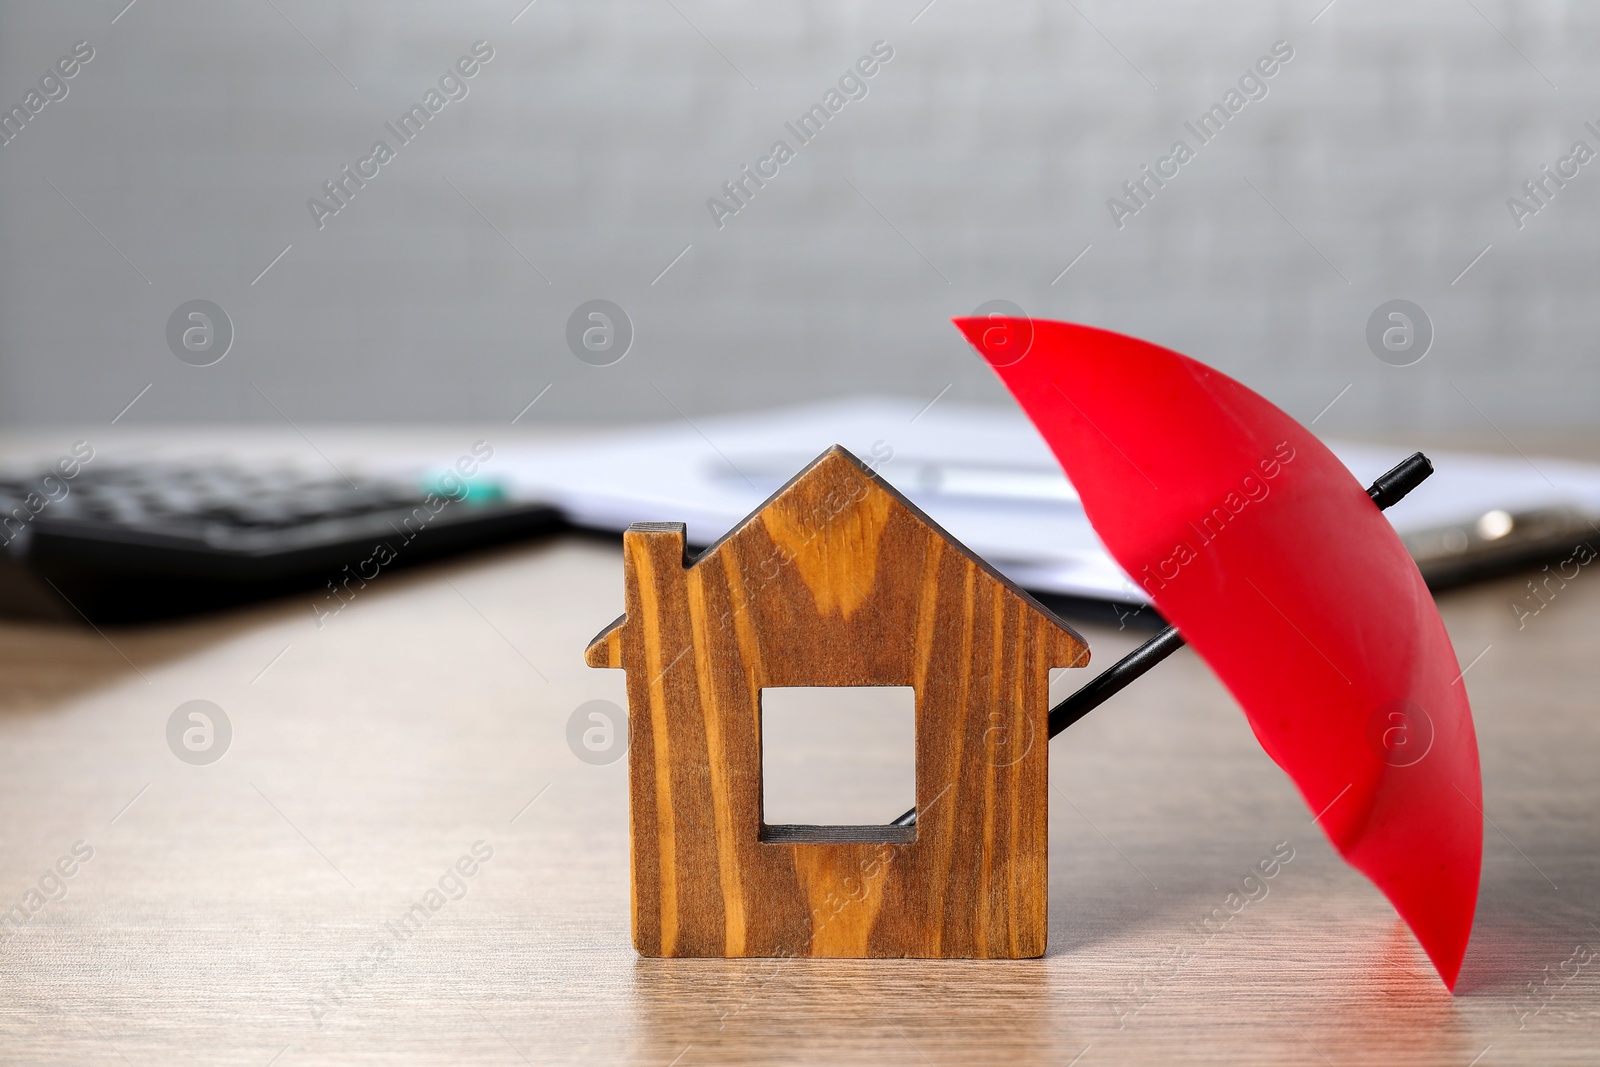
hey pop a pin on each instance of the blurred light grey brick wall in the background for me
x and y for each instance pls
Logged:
(978, 167)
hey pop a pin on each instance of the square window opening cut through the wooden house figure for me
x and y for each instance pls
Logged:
(838, 762)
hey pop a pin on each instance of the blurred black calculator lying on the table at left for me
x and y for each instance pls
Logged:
(134, 543)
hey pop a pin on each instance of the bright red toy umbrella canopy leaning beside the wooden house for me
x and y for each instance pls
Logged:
(1274, 564)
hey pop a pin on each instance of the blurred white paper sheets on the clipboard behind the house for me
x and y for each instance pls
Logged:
(983, 474)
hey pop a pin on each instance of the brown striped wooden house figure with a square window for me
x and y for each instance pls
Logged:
(834, 581)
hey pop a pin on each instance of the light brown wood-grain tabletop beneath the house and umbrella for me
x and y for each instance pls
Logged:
(246, 911)
